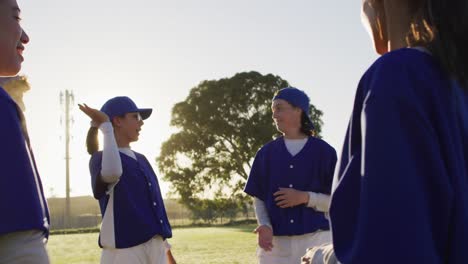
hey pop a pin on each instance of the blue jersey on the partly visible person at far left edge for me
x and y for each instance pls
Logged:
(22, 200)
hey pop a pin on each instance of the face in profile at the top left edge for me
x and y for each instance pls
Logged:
(12, 38)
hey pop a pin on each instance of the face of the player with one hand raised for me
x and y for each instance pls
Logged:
(127, 129)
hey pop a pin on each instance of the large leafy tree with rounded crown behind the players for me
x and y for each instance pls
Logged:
(222, 124)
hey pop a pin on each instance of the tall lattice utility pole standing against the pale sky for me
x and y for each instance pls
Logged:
(67, 101)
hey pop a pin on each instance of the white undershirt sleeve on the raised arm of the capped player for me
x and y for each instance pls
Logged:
(111, 166)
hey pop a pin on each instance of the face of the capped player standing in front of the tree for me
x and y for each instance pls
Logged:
(287, 117)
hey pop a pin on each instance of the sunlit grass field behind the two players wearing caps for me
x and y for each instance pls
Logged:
(197, 245)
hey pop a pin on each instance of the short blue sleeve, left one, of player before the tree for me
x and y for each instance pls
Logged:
(257, 182)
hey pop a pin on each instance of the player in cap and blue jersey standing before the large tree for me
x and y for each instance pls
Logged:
(291, 180)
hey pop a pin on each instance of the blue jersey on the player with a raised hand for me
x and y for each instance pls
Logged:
(138, 207)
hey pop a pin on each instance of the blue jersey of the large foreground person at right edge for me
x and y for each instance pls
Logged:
(402, 182)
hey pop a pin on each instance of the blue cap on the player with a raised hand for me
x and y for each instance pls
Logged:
(121, 105)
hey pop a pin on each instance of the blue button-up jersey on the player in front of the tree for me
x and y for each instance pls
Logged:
(309, 170)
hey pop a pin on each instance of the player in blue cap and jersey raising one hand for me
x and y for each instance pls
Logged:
(134, 224)
